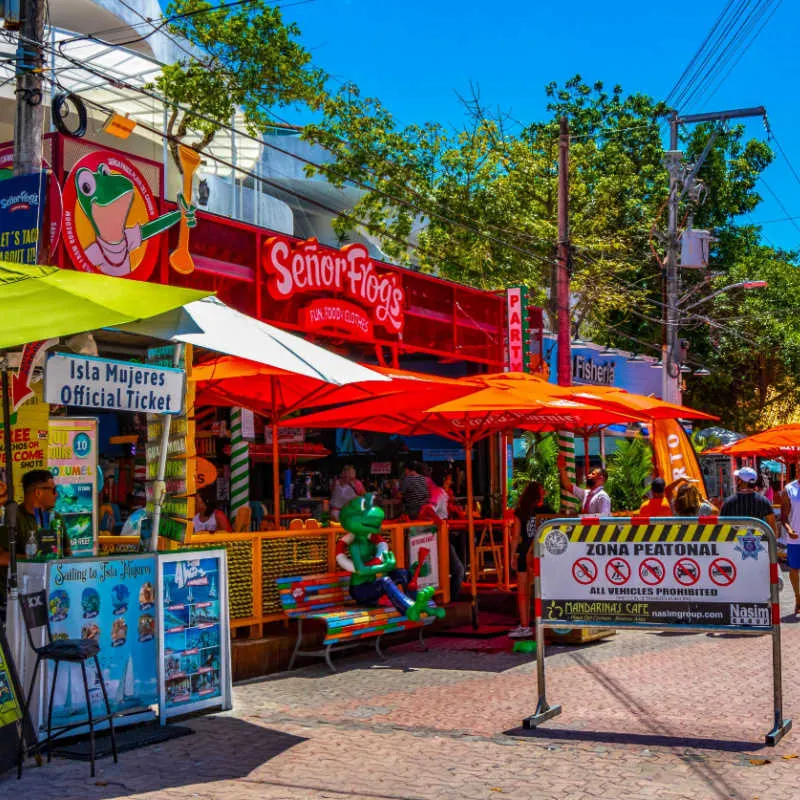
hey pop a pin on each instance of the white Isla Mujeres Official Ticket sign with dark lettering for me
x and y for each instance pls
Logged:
(91, 382)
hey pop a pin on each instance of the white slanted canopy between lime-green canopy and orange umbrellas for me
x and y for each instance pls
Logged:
(211, 324)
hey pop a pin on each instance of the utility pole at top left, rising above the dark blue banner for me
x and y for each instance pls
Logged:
(30, 111)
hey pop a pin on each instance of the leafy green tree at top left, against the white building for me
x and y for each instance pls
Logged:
(246, 59)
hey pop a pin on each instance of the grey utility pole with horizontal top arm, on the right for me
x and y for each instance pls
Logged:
(681, 181)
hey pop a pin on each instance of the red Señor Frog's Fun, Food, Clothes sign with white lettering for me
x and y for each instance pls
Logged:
(360, 296)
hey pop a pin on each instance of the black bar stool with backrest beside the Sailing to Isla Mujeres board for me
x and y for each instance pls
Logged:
(72, 651)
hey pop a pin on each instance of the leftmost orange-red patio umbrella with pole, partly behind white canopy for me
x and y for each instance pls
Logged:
(277, 393)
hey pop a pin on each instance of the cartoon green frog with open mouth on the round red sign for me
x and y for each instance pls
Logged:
(106, 198)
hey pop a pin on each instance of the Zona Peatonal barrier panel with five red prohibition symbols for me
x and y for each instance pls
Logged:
(666, 573)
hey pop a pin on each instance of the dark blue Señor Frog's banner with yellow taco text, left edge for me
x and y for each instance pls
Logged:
(21, 217)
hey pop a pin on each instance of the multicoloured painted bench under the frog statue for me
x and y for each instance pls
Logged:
(326, 597)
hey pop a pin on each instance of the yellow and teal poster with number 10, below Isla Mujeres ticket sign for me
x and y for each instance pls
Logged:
(72, 458)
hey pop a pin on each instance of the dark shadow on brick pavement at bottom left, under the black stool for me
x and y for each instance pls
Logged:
(223, 748)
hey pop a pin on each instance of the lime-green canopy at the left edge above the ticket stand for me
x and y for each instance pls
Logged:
(43, 302)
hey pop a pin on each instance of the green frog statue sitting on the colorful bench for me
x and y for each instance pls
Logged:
(373, 574)
